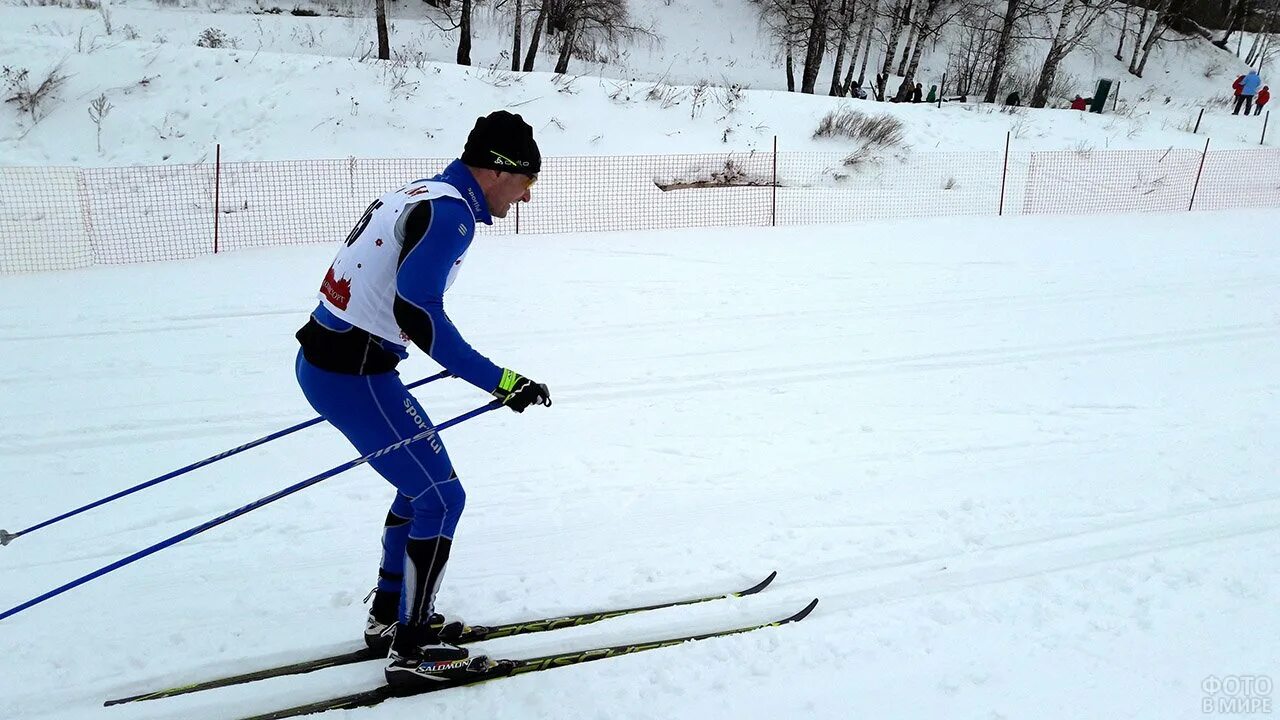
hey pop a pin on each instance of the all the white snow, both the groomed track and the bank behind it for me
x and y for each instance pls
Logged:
(1028, 464)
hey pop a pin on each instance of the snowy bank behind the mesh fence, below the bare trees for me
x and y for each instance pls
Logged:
(296, 88)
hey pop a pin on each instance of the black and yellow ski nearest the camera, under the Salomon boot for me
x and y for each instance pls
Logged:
(510, 668)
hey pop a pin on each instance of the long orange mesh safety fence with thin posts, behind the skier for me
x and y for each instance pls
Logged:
(60, 218)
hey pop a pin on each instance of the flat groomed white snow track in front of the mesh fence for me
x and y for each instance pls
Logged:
(1030, 472)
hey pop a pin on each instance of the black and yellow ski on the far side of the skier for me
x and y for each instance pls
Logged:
(470, 635)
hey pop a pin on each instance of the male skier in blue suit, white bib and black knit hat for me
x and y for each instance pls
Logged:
(385, 290)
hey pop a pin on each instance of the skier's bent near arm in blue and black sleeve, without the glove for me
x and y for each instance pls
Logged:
(433, 244)
